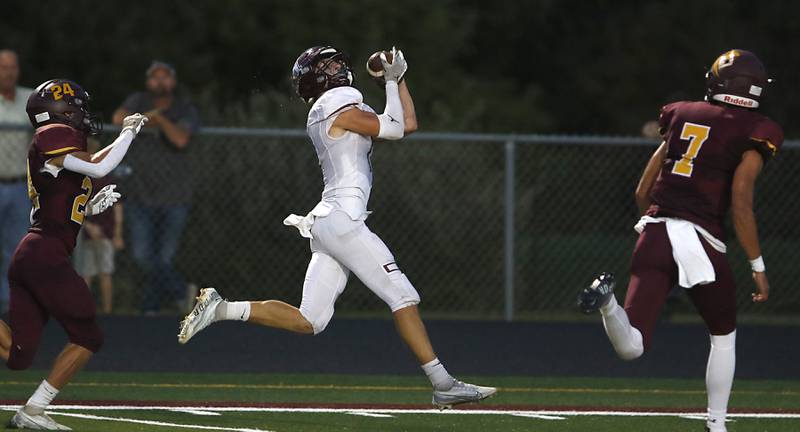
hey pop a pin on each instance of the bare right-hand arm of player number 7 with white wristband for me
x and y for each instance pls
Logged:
(744, 219)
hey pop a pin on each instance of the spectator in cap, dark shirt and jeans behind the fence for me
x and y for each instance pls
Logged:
(160, 191)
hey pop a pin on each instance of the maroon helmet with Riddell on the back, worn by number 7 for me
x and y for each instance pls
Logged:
(737, 78)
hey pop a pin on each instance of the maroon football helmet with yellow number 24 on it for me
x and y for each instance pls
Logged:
(65, 102)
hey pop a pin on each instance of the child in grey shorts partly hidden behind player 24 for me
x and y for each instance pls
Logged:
(102, 236)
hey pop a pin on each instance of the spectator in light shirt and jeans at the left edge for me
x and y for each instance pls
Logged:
(14, 204)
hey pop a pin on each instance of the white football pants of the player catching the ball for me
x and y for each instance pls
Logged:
(341, 245)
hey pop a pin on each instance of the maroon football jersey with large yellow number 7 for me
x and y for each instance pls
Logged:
(705, 144)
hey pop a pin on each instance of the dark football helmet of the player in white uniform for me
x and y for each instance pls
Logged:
(319, 69)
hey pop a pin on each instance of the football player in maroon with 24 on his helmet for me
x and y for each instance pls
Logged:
(42, 280)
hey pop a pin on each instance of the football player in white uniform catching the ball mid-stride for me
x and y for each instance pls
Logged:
(341, 127)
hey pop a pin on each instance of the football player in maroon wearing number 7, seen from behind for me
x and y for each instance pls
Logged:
(712, 153)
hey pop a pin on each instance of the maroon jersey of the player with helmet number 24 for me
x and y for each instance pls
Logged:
(59, 196)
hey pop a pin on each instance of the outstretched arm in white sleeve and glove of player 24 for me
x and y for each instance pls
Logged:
(103, 162)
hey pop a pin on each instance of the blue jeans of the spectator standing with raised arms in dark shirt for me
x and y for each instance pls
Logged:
(155, 236)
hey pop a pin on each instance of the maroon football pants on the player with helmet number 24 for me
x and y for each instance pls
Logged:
(43, 283)
